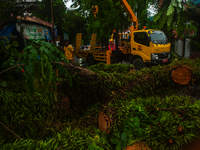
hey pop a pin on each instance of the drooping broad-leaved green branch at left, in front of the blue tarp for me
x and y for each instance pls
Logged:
(37, 58)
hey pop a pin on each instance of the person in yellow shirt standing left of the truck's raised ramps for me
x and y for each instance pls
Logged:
(69, 51)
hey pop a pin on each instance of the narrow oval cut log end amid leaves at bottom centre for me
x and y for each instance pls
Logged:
(104, 122)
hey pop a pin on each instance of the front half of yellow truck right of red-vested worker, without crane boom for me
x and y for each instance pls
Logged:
(146, 46)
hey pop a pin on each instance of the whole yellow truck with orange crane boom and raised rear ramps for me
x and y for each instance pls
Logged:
(140, 47)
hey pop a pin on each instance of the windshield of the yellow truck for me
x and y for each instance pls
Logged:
(158, 37)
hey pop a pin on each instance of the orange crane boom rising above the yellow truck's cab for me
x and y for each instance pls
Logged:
(131, 14)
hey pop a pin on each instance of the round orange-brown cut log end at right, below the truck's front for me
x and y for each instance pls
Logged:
(181, 74)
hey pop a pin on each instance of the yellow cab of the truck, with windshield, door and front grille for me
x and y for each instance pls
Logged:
(151, 46)
